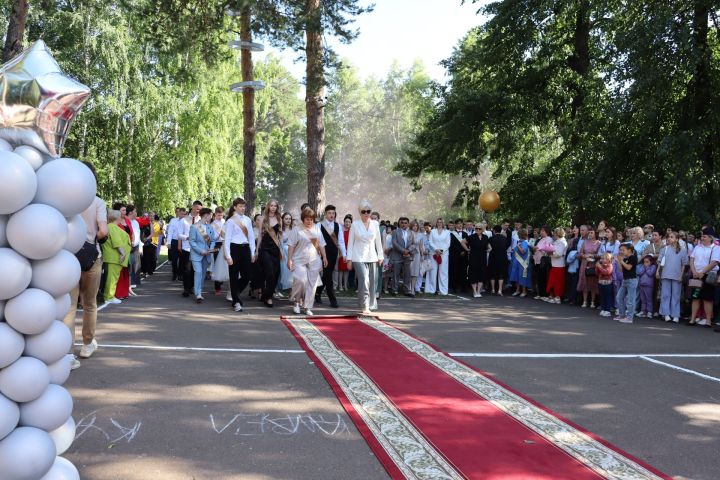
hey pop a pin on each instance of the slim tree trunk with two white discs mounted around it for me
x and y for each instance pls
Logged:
(249, 147)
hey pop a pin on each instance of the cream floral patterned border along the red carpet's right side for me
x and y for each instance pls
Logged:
(595, 455)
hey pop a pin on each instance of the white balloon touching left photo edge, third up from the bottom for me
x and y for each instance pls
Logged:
(25, 380)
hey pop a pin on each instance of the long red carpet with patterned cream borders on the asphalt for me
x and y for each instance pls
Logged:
(428, 416)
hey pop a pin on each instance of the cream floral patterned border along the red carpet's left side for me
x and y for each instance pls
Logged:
(399, 440)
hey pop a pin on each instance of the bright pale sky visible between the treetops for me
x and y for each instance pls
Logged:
(403, 31)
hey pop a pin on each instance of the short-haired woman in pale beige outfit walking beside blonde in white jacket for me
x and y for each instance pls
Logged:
(306, 259)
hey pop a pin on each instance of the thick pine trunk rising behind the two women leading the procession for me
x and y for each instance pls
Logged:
(314, 105)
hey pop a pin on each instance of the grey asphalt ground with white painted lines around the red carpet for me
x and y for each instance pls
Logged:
(185, 391)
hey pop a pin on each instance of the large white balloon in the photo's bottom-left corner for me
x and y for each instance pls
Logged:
(26, 454)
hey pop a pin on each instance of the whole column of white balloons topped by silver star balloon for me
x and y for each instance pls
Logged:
(41, 198)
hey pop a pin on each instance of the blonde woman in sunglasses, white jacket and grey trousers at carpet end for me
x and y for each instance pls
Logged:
(365, 250)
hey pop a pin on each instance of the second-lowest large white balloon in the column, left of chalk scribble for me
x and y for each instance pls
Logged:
(49, 411)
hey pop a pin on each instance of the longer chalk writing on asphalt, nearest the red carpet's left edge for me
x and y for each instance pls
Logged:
(254, 424)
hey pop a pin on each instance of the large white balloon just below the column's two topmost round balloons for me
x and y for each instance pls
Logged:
(37, 231)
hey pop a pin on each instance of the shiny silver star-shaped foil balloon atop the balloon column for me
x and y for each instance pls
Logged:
(37, 101)
